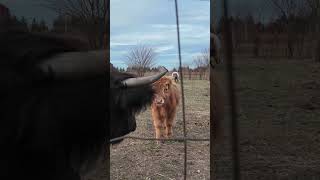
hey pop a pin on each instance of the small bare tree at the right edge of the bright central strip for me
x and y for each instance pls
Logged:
(202, 62)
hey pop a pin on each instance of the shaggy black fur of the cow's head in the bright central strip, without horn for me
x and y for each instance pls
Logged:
(125, 103)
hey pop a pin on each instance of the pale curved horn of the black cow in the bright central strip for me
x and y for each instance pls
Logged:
(133, 82)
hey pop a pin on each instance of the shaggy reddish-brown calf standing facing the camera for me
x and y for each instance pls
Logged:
(164, 106)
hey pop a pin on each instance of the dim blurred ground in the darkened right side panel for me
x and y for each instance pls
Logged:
(279, 121)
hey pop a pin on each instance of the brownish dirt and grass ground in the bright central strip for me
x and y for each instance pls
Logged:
(136, 159)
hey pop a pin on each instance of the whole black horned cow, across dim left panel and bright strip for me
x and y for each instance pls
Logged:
(53, 106)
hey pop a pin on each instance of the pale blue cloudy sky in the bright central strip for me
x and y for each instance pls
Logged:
(153, 23)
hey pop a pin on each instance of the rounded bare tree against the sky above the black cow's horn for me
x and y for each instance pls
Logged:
(141, 58)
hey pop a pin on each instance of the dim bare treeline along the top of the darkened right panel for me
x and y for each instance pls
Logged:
(293, 31)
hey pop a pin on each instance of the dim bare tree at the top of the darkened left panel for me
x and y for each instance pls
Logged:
(92, 13)
